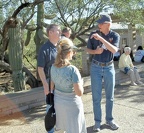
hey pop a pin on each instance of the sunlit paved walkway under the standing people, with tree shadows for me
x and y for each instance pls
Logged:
(128, 113)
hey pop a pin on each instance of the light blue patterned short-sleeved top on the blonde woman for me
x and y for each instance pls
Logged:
(65, 77)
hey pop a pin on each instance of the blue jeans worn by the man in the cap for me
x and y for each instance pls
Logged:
(97, 74)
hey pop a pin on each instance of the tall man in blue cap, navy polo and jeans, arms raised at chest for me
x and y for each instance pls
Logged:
(102, 44)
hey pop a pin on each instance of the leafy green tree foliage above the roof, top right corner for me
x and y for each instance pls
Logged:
(130, 11)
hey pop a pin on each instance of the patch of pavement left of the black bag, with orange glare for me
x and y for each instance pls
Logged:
(29, 121)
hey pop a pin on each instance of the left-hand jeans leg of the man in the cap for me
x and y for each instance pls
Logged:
(96, 86)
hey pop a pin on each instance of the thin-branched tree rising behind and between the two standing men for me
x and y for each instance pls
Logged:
(78, 15)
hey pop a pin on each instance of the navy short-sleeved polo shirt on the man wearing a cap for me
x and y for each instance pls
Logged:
(106, 56)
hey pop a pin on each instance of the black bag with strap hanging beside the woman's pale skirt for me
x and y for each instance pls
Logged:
(50, 118)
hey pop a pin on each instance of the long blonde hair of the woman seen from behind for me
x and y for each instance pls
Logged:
(64, 46)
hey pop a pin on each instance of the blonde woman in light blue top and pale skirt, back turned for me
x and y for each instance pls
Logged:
(68, 89)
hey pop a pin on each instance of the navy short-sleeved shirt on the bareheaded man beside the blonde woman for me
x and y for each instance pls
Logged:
(46, 57)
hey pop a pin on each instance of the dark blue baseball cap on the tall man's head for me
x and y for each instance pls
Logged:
(104, 19)
